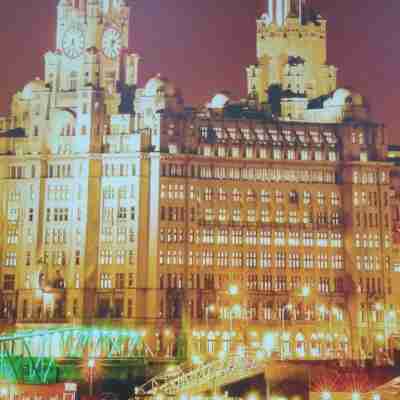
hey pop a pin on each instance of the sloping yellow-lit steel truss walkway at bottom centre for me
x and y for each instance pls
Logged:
(207, 377)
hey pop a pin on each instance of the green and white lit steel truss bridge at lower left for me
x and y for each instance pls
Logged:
(33, 356)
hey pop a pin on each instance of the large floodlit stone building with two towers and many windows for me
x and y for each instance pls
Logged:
(264, 222)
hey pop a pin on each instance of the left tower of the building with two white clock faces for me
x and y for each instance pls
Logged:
(92, 48)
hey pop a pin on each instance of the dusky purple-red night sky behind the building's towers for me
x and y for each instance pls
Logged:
(204, 46)
